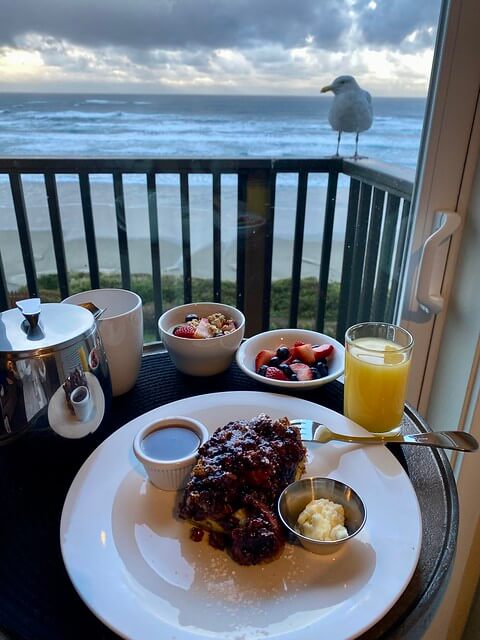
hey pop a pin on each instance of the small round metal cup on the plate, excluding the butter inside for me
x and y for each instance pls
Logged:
(297, 495)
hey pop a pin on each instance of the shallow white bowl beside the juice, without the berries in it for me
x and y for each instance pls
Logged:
(273, 339)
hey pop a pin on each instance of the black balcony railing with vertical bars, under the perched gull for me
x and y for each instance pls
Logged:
(375, 232)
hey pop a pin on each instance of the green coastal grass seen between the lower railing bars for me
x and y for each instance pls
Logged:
(202, 290)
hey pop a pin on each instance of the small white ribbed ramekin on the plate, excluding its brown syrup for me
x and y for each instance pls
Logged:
(169, 475)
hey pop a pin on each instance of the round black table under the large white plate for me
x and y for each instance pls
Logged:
(37, 599)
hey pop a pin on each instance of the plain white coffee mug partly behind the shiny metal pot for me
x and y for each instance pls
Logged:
(121, 329)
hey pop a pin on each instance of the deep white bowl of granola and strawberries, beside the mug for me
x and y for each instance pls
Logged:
(202, 337)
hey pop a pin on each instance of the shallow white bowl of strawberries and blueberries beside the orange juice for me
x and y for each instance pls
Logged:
(291, 358)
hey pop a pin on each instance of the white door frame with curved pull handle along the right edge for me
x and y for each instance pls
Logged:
(445, 381)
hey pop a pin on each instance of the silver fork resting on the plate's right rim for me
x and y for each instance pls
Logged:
(312, 431)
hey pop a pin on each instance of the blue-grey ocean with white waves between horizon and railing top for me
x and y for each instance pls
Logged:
(199, 126)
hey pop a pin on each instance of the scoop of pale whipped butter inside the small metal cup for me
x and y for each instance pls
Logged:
(322, 520)
